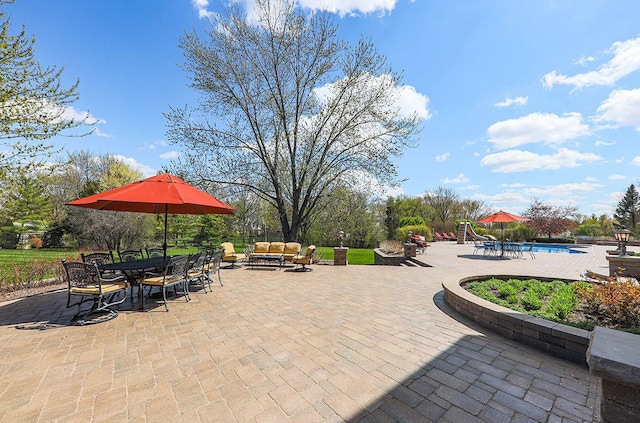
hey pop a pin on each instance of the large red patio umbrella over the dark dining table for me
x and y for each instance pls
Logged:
(164, 193)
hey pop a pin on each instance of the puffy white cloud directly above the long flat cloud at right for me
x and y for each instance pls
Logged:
(547, 128)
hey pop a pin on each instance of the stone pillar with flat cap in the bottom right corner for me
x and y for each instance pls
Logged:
(613, 356)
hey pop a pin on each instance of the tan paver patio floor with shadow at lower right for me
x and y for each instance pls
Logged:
(354, 343)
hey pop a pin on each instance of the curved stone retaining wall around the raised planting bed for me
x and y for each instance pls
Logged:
(559, 340)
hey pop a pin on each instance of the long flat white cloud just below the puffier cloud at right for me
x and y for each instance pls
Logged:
(521, 161)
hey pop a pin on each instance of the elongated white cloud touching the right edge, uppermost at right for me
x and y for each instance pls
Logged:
(625, 60)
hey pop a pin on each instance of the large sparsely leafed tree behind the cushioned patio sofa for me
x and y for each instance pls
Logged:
(287, 110)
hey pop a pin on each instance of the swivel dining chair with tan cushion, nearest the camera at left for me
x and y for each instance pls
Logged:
(86, 283)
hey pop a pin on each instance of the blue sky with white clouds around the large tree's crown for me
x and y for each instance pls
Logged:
(522, 99)
